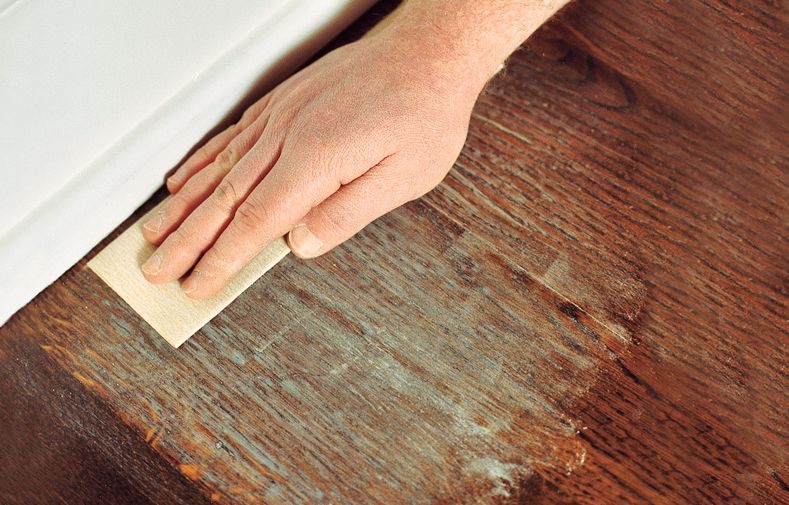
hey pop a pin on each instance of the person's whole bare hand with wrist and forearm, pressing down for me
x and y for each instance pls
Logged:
(365, 129)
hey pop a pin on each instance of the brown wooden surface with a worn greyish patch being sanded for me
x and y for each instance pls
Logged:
(592, 308)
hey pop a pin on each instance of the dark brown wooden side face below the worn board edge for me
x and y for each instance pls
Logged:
(62, 444)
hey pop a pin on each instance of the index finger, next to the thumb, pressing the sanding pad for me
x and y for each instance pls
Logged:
(278, 203)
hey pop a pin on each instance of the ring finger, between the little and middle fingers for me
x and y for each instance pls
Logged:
(201, 185)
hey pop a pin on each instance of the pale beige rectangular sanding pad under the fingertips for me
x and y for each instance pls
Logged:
(165, 306)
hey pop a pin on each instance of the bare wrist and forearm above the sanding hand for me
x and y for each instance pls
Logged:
(467, 38)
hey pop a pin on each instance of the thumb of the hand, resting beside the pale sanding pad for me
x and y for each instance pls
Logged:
(347, 211)
